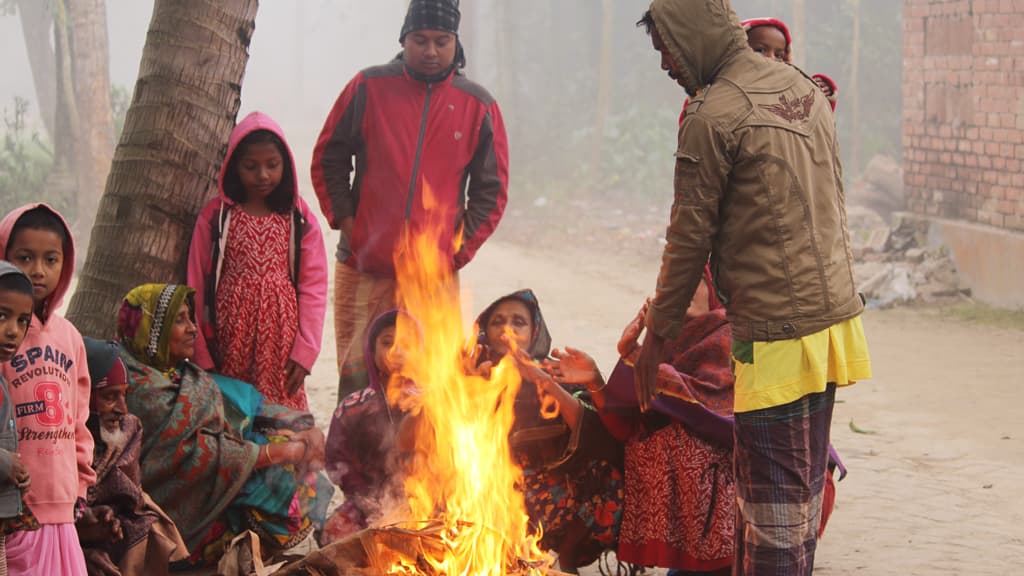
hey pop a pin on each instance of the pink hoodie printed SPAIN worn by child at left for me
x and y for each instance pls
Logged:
(50, 387)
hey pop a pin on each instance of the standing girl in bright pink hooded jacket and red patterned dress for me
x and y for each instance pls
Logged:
(260, 269)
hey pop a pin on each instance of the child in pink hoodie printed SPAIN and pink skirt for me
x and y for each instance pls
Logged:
(49, 380)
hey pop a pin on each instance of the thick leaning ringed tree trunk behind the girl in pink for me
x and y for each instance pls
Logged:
(166, 166)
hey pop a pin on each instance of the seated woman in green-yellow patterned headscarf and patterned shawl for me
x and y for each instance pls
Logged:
(217, 468)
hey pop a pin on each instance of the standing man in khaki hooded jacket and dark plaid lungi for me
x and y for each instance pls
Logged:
(758, 189)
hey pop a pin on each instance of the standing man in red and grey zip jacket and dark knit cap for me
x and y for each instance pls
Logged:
(415, 128)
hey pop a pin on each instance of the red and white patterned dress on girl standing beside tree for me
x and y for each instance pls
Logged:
(258, 307)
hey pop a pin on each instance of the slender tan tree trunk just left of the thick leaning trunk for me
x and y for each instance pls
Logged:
(92, 78)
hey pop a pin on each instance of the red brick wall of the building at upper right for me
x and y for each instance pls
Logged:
(964, 110)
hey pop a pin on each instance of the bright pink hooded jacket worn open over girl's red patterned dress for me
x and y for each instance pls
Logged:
(204, 272)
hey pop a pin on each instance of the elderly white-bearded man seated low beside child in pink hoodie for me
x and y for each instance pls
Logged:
(122, 532)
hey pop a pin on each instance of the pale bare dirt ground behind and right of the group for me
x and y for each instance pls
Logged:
(936, 465)
